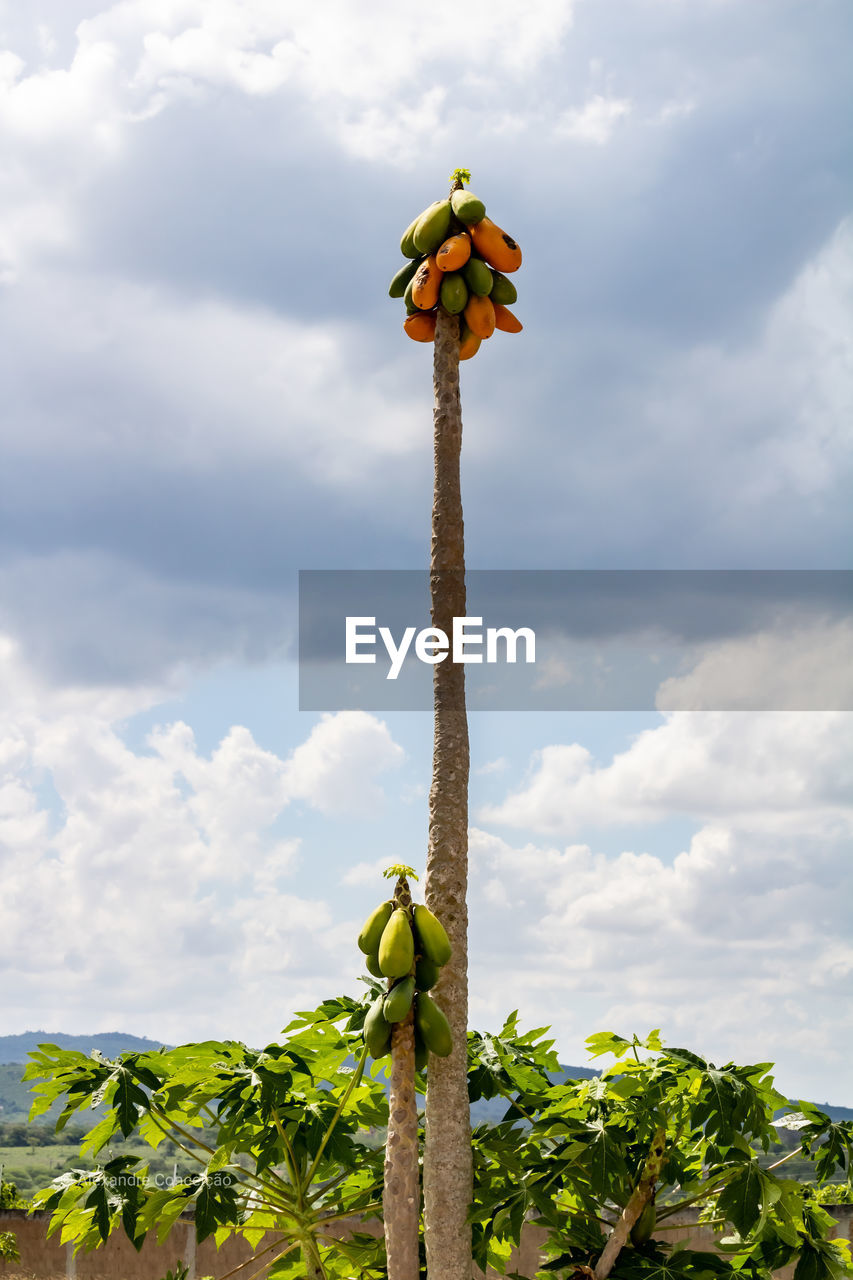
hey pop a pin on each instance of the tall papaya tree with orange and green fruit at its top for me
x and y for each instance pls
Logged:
(458, 263)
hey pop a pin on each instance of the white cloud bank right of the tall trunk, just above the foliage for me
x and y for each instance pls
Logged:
(740, 949)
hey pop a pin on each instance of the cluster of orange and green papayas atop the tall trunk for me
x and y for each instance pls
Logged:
(458, 259)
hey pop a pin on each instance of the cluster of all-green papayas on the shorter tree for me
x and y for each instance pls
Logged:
(408, 947)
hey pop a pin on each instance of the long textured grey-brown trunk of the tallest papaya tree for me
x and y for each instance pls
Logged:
(448, 1149)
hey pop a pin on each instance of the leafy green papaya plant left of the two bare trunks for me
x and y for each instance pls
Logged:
(277, 1139)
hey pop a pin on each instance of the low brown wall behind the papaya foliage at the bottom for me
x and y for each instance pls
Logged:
(45, 1260)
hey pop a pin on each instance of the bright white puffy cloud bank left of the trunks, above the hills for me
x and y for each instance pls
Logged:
(161, 871)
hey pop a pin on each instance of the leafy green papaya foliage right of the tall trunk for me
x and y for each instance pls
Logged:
(574, 1156)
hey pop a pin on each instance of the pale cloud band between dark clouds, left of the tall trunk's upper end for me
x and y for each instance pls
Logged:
(200, 383)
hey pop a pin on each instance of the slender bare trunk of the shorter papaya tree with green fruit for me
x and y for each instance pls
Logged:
(402, 1195)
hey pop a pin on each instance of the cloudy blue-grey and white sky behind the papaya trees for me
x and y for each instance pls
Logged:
(207, 391)
